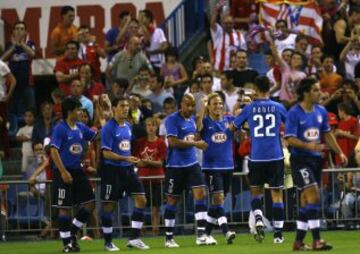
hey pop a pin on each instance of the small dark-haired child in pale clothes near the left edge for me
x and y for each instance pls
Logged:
(24, 136)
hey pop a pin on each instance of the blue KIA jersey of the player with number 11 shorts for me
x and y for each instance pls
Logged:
(117, 139)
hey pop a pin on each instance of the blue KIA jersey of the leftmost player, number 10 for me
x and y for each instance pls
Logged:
(71, 142)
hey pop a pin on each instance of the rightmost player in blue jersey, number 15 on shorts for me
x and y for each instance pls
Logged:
(306, 126)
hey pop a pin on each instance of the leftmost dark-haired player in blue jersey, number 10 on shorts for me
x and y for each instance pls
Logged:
(71, 186)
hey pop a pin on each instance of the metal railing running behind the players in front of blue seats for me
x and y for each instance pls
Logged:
(31, 212)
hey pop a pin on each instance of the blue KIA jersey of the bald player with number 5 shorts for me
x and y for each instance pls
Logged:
(185, 129)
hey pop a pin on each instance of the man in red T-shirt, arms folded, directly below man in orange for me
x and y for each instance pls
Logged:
(67, 67)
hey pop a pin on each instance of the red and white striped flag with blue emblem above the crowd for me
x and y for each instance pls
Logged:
(302, 16)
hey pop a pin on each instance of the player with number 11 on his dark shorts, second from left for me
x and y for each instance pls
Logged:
(117, 175)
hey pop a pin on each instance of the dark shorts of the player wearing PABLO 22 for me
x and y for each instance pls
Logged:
(270, 172)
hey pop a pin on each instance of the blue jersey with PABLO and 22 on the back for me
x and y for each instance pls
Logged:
(264, 118)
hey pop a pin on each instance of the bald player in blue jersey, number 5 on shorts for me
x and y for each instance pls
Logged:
(183, 169)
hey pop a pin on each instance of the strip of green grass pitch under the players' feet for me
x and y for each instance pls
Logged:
(344, 242)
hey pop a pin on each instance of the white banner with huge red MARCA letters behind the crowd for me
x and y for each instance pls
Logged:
(42, 16)
